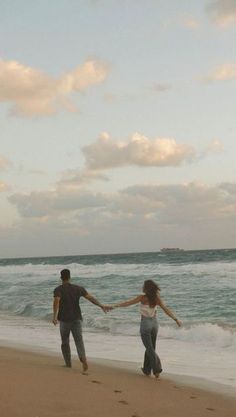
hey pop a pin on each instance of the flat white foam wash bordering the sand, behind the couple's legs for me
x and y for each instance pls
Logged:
(179, 356)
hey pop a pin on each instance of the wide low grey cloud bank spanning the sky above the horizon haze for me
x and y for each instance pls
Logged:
(174, 203)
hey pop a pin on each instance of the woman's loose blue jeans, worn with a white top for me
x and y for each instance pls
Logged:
(148, 331)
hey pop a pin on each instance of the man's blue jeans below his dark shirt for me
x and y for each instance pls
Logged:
(75, 327)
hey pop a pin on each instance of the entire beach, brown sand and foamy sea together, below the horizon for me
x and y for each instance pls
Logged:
(199, 374)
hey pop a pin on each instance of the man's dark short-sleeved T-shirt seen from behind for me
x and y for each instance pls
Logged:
(69, 308)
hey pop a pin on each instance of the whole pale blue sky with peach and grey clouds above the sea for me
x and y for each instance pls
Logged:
(117, 126)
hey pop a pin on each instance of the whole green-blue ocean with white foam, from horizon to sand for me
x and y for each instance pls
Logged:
(199, 287)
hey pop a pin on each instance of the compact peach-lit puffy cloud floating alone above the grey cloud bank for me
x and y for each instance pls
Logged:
(139, 150)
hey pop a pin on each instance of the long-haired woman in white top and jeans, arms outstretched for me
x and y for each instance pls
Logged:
(149, 326)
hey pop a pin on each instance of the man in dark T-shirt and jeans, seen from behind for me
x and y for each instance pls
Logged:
(67, 311)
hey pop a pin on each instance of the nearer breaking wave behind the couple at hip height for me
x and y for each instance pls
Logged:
(205, 335)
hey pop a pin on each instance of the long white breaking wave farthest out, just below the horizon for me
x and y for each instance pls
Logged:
(94, 271)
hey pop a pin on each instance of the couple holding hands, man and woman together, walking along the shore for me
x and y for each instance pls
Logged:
(66, 310)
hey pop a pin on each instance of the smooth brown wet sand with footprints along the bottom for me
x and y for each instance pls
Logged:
(36, 385)
